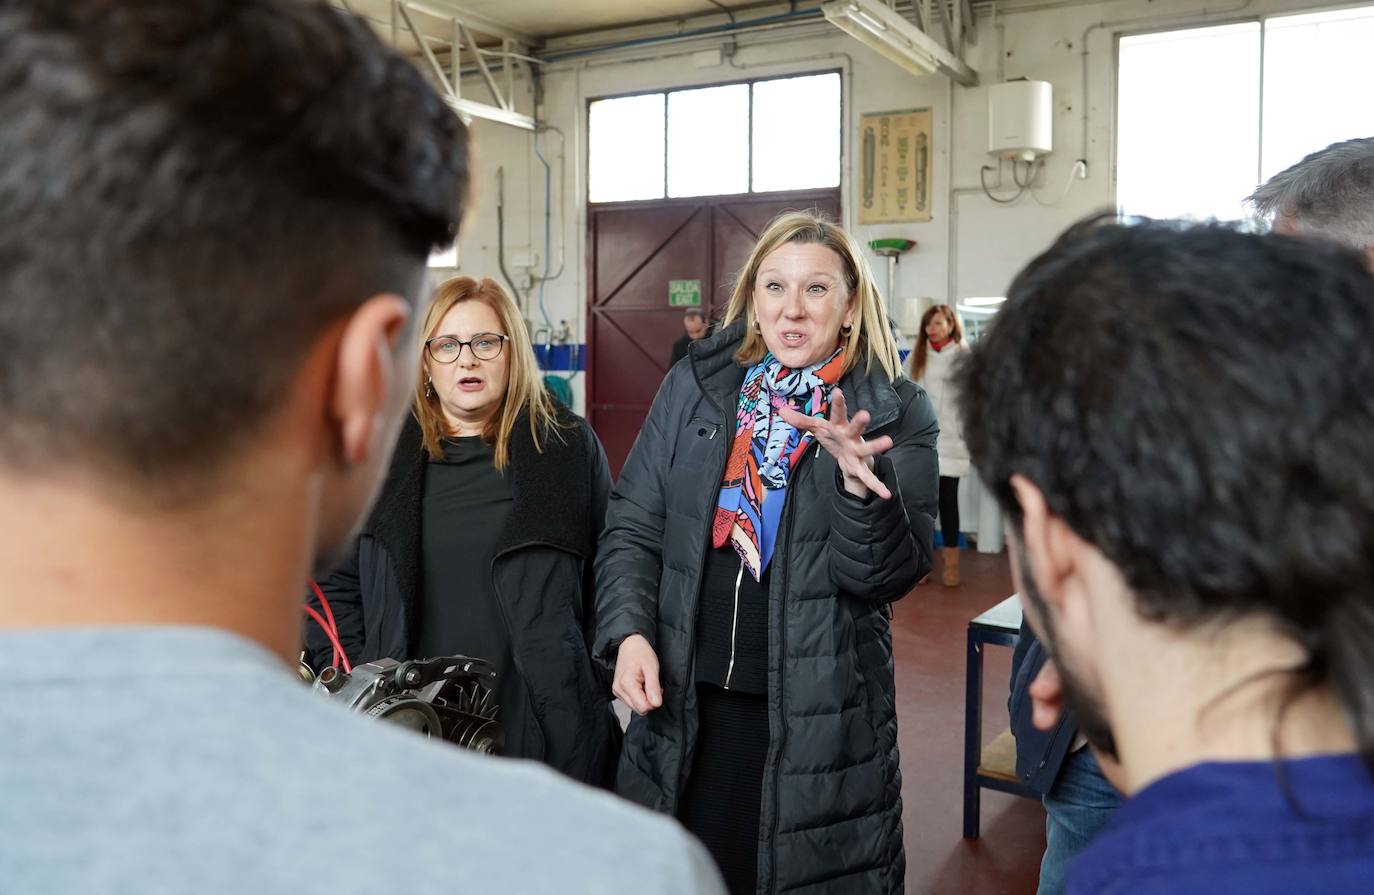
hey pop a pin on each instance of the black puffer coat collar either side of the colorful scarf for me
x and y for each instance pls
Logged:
(721, 377)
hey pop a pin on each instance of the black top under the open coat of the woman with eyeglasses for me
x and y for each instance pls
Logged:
(466, 505)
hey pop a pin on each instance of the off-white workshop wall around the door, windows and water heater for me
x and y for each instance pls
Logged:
(971, 248)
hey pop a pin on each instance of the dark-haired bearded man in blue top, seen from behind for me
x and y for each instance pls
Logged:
(1202, 577)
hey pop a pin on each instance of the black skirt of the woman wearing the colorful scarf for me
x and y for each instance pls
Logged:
(721, 802)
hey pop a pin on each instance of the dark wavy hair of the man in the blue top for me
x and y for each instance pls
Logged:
(1148, 380)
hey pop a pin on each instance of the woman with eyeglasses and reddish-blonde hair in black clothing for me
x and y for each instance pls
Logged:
(483, 540)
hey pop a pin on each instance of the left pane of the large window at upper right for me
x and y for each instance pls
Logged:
(1188, 123)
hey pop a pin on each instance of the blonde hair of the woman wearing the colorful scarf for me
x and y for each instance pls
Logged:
(870, 338)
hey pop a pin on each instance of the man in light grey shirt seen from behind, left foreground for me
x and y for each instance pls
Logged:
(215, 221)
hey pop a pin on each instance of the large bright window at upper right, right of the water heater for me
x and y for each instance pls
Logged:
(1206, 115)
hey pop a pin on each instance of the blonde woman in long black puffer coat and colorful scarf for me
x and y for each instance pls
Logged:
(780, 497)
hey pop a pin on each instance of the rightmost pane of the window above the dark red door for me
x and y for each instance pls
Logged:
(798, 131)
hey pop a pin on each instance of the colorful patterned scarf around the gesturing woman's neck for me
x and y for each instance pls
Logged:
(766, 452)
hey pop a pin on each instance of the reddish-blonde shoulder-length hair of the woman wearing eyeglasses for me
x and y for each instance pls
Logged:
(526, 390)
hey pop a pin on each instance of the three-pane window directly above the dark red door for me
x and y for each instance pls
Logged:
(755, 137)
